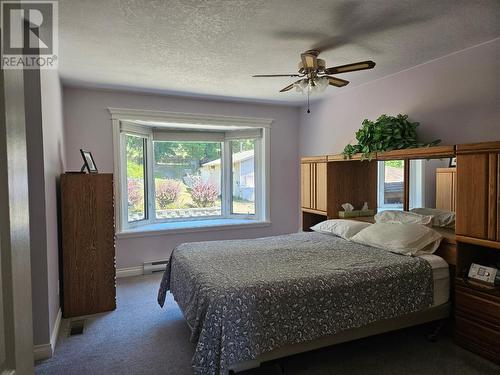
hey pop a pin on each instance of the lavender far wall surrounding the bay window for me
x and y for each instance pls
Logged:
(88, 125)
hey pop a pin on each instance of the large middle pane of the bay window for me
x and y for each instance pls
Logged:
(187, 179)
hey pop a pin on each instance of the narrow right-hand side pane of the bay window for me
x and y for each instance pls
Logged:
(243, 176)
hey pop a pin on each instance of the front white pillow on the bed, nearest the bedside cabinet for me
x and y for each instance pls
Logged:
(407, 239)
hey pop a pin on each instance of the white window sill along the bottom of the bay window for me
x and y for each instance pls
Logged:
(178, 227)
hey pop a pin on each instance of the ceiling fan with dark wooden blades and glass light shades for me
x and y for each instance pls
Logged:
(315, 77)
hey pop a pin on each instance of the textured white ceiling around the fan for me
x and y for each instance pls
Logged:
(212, 47)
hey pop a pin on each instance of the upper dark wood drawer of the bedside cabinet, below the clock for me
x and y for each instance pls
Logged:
(471, 302)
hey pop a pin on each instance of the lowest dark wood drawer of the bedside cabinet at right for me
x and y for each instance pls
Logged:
(478, 336)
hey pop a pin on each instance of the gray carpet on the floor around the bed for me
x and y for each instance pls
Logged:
(140, 338)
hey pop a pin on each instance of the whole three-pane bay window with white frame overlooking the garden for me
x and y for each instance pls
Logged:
(185, 173)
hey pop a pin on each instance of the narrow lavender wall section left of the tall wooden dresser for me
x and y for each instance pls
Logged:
(45, 141)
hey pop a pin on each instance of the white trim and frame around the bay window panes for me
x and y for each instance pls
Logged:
(128, 117)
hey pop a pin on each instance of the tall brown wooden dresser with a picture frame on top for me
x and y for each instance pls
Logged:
(88, 244)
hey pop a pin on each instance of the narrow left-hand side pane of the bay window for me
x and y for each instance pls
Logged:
(135, 178)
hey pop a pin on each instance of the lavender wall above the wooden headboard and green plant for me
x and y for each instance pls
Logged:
(455, 98)
